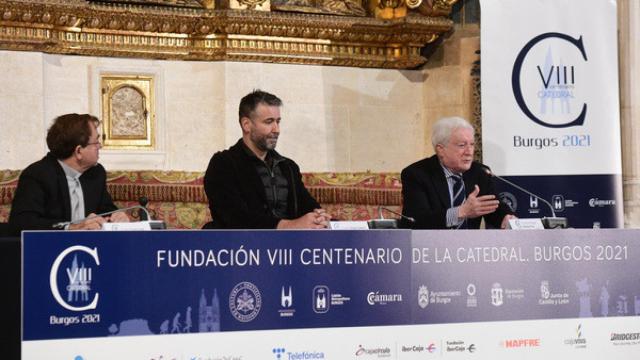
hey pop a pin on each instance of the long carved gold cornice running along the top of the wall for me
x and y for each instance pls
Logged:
(191, 30)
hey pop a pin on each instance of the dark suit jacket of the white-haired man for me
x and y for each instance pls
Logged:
(425, 195)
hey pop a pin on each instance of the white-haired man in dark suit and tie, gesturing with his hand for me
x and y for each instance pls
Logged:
(449, 190)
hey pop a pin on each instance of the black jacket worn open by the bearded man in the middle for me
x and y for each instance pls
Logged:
(236, 194)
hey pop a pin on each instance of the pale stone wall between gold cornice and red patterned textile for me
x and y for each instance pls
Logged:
(334, 118)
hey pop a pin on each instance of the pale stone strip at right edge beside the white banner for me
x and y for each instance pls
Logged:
(629, 32)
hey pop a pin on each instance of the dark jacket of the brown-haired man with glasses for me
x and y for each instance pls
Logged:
(42, 196)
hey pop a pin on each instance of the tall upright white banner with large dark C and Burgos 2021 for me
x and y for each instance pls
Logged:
(550, 105)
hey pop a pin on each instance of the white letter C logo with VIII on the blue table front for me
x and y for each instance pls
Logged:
(78, 278)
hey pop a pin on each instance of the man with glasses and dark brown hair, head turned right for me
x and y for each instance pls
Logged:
(67, 184)
